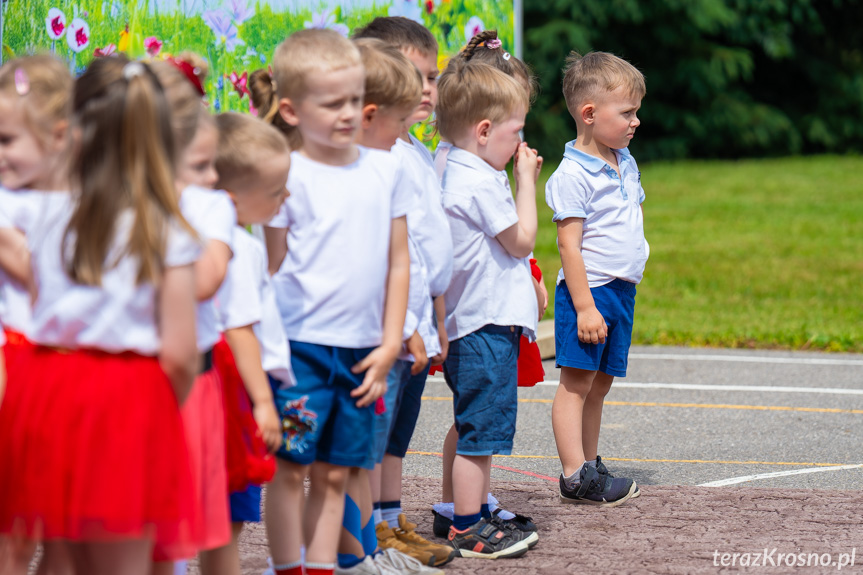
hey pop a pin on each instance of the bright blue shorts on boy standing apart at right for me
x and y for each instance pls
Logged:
(616, 302)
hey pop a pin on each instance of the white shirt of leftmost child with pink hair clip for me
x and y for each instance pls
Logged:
(21, 210)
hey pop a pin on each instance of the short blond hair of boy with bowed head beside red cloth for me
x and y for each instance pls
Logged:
(243, 140)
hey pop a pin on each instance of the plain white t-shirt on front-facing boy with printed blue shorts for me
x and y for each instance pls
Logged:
(331, 285)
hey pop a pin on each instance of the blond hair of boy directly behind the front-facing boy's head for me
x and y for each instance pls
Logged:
(392, 81)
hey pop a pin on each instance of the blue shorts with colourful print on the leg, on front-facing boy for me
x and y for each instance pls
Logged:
(320, 419)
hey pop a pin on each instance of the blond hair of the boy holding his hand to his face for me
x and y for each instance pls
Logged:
(469, 92)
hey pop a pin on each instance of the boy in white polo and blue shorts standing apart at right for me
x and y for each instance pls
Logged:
(596, 196)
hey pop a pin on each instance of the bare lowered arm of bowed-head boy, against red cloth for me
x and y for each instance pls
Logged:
(246, 350)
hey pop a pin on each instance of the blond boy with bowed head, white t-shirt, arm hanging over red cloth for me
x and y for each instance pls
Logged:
(253, 161)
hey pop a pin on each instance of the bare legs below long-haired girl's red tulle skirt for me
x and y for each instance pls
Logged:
(127, 557)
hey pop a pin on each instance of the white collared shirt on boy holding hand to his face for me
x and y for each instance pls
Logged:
(489, 286)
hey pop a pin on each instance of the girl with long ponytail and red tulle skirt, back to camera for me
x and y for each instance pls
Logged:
(97, 448)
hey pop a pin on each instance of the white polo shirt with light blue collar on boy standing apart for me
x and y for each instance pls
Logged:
(584, 186)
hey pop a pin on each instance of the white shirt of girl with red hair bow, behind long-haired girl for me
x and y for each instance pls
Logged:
(212, 214)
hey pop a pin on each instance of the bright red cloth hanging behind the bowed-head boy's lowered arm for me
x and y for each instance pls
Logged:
(248, 460)
